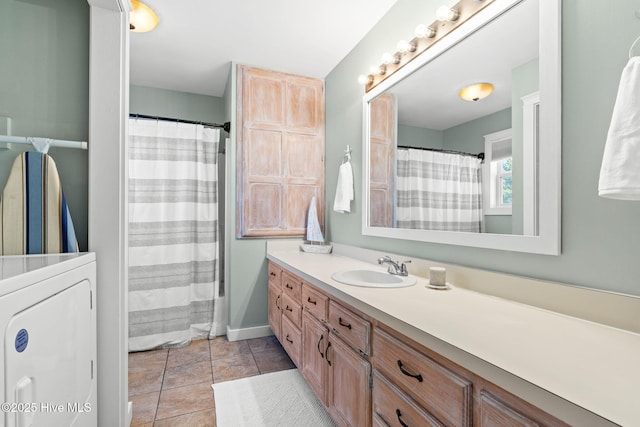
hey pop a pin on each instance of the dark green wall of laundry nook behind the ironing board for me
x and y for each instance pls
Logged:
(44, 88)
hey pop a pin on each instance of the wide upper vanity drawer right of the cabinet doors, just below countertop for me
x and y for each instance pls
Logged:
(439, 390)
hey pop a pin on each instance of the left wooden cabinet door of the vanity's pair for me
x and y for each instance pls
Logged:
(315, 337)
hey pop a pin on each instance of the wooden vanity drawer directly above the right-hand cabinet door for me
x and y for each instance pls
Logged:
(353, 329)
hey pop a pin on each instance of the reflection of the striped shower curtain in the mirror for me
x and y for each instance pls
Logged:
(438, 191)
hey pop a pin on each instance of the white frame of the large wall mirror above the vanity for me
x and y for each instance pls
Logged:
(547, 241)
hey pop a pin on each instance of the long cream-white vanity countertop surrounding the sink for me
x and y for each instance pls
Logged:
(591, 365)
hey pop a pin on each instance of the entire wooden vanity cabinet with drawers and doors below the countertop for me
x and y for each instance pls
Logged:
(367, 373)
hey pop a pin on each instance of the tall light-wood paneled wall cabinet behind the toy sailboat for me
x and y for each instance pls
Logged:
(280, 152)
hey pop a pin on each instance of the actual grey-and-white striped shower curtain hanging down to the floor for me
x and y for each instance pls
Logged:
(175, 294)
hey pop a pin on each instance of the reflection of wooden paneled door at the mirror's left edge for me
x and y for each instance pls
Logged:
(382, 167)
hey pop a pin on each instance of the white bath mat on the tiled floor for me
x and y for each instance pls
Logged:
(277, 399)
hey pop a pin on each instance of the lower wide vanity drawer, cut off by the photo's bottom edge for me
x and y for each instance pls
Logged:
(396, 408)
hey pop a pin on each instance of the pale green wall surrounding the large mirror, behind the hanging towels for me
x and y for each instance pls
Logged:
(600, 244)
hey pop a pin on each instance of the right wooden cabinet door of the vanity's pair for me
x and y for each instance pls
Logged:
(349, 393)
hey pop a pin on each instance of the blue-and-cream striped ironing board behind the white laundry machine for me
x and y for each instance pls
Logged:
(34, 217)
